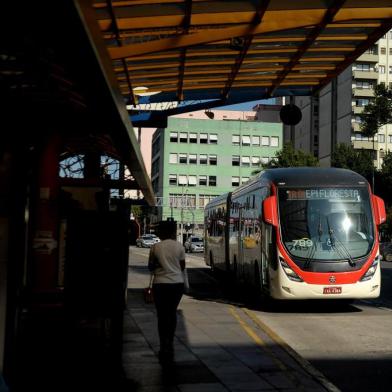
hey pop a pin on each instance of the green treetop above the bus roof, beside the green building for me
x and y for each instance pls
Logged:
(288, 156)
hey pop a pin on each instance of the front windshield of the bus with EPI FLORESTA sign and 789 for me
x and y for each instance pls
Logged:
(326, 224)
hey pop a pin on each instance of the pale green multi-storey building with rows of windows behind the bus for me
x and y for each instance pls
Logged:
(201, 155)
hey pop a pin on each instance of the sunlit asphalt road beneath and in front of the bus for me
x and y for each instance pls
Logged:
(350, 344)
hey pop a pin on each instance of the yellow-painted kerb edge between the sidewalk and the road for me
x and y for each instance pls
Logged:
(306, 365)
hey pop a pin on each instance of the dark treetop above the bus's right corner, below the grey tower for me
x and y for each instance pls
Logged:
(360, 161)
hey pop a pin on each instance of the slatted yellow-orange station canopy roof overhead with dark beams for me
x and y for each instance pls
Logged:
(174, 56)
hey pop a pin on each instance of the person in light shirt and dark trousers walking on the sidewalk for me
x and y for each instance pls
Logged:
(167, 263)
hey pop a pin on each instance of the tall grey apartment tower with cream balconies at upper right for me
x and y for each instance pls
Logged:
(332, 116)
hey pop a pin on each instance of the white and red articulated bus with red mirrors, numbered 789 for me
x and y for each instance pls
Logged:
(299, 233)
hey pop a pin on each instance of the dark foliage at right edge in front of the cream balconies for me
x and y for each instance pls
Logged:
(377, 112)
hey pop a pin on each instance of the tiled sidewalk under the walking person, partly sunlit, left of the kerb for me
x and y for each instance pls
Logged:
(218, 348)
